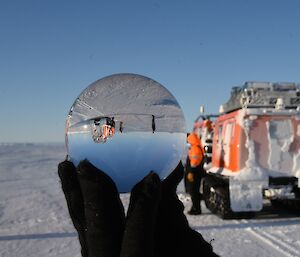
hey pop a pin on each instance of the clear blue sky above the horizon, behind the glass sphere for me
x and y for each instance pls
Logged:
(51, 50)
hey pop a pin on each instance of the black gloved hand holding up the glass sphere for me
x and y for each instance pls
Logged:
(155, 225)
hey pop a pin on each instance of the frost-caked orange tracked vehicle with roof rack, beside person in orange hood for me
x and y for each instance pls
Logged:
(255, 151)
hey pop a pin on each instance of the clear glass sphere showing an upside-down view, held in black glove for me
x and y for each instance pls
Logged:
(126, 125)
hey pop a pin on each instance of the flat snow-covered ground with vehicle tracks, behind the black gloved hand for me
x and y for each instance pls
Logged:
(34, 220)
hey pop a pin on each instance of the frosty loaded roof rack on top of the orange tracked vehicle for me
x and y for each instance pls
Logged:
(263, 94)
